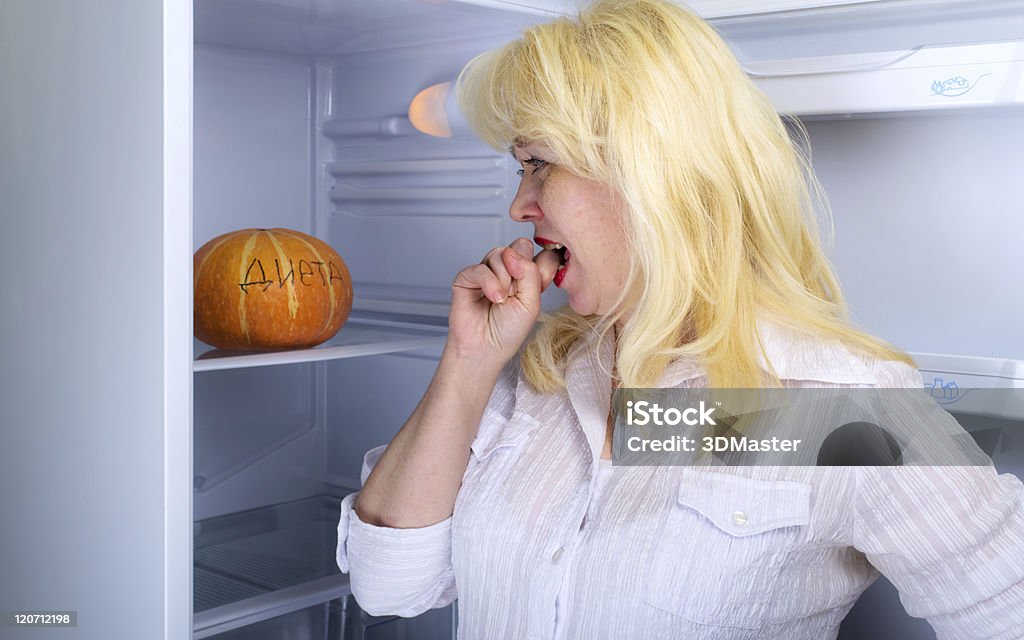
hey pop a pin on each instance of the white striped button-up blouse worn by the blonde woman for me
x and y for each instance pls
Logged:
(541, 546)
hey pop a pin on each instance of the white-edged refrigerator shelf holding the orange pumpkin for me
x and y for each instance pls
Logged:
(360, 336)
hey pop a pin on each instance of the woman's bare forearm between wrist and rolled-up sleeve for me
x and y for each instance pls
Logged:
(418, 478)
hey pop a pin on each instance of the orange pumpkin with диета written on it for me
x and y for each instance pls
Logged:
(269, 289)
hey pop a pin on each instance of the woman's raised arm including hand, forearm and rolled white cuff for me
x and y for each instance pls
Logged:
(397, 544)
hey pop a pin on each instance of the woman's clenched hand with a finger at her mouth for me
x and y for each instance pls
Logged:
(495, 304)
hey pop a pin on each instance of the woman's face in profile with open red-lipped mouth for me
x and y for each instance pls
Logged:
(586, 218)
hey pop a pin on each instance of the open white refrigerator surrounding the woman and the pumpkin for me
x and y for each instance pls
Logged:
(154, 487)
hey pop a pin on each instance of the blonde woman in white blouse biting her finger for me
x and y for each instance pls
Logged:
(672, 207)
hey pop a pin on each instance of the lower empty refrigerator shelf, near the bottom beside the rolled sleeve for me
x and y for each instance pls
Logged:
(263, 564)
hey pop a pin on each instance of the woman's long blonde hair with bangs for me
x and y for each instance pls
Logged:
(647, 97)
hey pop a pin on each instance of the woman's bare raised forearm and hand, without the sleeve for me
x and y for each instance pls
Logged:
(494, 308)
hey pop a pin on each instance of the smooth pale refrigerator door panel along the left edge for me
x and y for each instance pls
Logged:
(97, 373)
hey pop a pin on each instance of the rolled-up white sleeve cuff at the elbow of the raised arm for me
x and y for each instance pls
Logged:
(395, 572)
